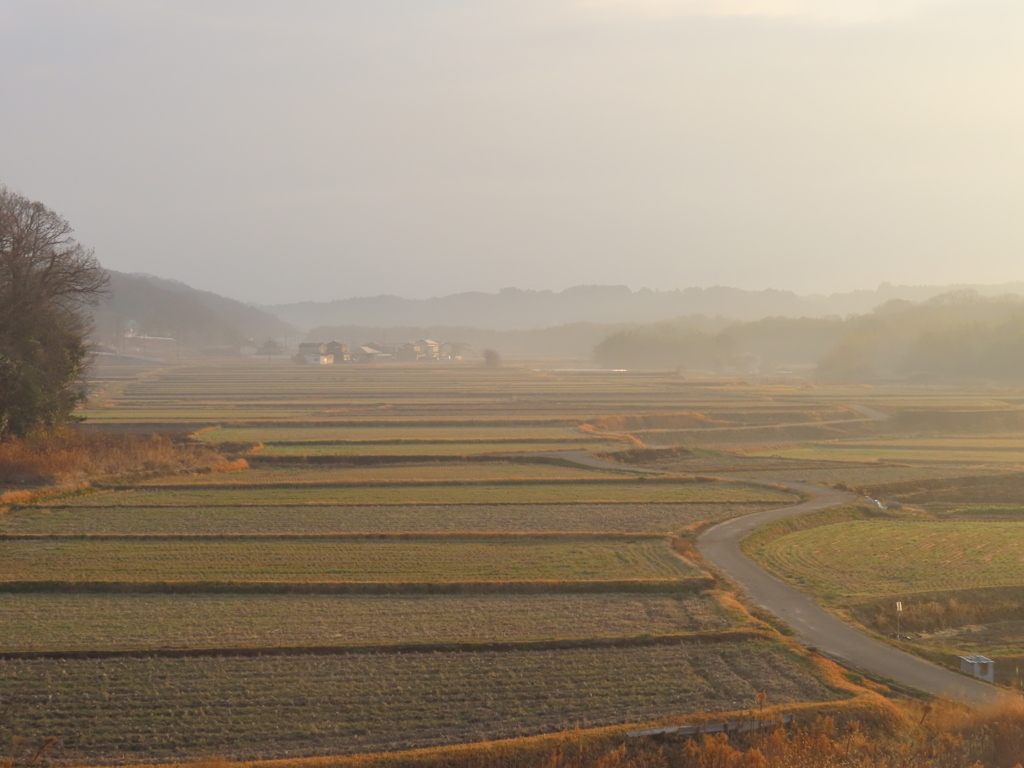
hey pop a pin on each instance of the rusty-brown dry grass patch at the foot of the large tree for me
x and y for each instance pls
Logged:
(71, 456)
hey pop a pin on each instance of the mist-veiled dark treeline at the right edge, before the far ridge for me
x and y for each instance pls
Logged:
(956, 335)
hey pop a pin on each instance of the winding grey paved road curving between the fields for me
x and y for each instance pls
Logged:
(815, 627)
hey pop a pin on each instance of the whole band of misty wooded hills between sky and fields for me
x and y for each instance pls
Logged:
(915, 332)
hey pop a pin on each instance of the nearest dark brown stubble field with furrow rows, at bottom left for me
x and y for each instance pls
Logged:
(305, 705)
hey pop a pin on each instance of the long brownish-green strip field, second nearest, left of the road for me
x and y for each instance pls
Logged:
(86, 623)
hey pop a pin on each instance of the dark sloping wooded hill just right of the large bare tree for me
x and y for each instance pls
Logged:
(154, 307)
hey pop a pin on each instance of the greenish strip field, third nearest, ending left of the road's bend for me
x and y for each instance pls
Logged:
(515, 559)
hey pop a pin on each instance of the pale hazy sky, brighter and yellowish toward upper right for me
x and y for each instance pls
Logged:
(326, 149)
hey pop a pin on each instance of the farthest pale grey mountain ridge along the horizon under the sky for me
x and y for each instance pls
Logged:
(519, 310)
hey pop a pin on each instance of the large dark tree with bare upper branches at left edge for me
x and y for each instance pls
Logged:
(47, 281)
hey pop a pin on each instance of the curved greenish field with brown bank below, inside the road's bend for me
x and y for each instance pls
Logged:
(960, 582)
